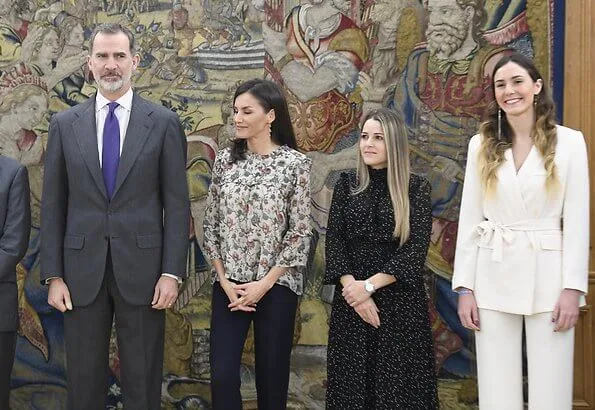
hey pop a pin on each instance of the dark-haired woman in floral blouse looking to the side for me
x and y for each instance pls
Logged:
(257, 237)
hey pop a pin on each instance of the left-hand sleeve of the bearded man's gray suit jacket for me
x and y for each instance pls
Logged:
(53, 206)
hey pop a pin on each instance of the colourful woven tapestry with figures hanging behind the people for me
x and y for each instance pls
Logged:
(363, 53)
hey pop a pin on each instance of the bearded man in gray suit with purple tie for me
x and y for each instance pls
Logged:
(114, 230)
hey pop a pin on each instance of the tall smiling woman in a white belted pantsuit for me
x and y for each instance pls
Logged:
(522, 246)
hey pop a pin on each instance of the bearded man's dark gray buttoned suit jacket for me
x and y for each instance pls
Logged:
(146, 223)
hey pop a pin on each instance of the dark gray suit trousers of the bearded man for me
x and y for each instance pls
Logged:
(140, 333)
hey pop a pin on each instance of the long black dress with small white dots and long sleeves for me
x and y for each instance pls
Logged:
(391, 367)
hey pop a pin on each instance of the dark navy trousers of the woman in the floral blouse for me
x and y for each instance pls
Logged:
(273, 336)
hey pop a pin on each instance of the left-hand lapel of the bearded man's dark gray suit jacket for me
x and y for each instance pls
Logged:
(86, 136)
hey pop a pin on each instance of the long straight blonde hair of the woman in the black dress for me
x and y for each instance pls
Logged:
(397, 153)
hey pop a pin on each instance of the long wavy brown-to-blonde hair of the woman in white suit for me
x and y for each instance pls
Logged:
(544, 135)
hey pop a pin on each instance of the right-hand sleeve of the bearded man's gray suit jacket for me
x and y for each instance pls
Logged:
(175, 199)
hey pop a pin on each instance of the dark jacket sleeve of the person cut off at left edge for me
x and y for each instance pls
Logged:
(15, 235)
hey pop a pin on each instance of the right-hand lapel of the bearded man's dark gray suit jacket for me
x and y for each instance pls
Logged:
(137, 133)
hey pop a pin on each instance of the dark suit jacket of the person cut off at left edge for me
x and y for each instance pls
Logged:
(15, 221)
